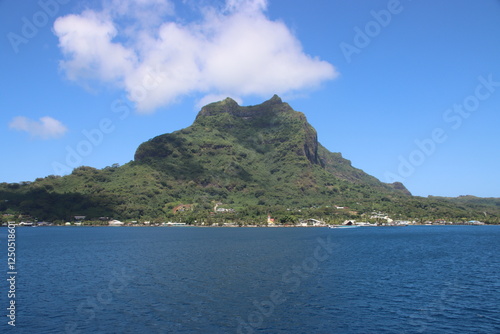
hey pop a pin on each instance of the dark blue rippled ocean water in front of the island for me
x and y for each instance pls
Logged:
(415, 279)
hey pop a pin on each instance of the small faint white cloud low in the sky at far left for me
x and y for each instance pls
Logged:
(45, 128)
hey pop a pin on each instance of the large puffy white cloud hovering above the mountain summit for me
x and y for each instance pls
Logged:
(238, 51)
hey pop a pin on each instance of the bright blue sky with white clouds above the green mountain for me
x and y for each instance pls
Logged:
(407, 90)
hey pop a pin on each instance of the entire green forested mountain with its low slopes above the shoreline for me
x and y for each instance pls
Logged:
(249, 160)
